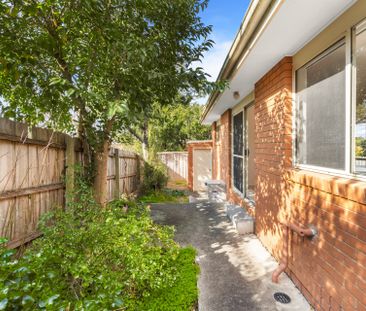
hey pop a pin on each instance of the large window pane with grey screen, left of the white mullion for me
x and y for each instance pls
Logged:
(320, 89)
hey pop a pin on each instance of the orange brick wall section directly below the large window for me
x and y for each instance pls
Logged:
(331, 270)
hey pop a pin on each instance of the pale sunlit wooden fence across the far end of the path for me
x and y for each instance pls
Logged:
(176, 163)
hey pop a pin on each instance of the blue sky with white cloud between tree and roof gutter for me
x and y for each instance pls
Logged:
(225, 16)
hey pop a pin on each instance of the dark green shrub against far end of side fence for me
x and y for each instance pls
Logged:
(154, 177)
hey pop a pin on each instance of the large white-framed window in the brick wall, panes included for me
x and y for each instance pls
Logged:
(331, 107)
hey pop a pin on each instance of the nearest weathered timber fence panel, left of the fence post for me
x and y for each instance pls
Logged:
(31, 178)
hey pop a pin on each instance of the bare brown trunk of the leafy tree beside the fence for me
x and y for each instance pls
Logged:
(101, 174)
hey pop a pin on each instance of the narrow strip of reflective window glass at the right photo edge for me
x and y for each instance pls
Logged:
(360, 95)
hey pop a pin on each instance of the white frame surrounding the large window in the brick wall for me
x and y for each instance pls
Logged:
(350, 113)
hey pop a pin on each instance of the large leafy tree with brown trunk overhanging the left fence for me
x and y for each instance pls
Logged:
(90, 67)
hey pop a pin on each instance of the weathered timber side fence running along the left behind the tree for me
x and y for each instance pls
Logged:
(33, 165)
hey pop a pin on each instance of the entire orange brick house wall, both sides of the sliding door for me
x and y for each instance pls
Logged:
(331, 269)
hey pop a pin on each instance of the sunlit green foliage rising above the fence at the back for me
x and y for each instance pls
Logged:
(174, 125)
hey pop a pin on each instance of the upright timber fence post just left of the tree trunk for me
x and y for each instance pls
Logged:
(70, 168)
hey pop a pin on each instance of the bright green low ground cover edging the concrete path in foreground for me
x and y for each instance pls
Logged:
(183, 295)
